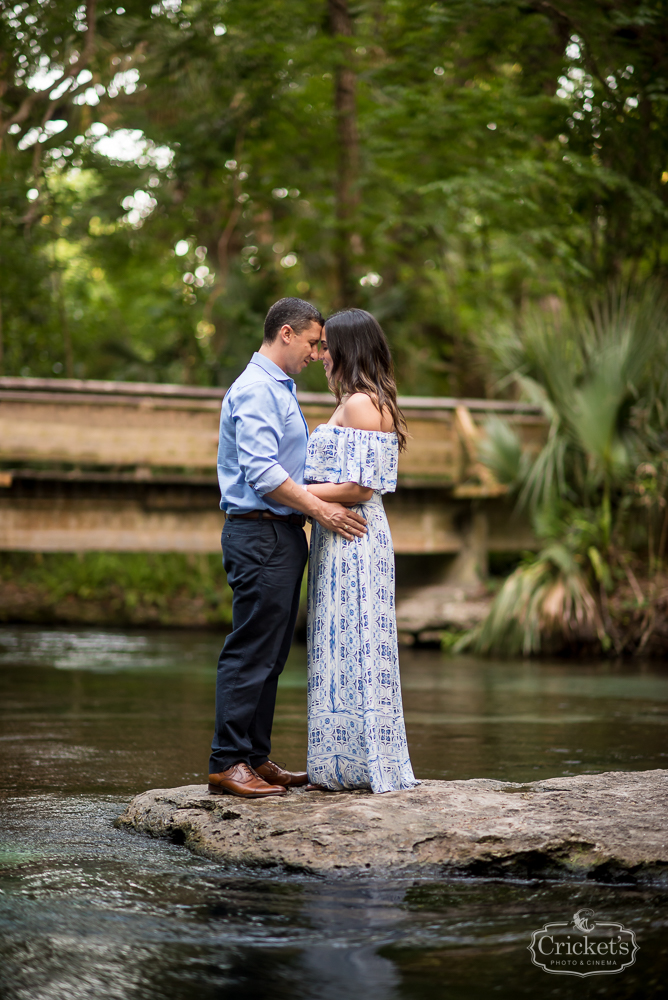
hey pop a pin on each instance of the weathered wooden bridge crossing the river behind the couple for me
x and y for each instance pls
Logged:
(126, 466)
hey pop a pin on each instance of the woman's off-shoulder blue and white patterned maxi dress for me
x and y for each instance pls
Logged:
(356, 732)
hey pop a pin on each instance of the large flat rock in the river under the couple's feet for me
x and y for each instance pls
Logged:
(609, 826)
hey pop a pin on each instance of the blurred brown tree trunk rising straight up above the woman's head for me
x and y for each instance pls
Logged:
(347, 197)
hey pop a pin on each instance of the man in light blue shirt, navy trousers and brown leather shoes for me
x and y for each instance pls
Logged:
(261, 459)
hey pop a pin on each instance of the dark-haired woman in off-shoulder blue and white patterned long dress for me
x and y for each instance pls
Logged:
(357, 737)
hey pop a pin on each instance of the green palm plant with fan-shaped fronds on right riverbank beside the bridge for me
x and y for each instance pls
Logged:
(600, 376)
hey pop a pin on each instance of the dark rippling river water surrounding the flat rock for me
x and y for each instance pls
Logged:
(91, 717)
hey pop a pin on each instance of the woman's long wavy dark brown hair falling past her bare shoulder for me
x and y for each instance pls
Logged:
(361, 362)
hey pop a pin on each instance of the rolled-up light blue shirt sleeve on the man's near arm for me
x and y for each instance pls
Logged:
(259, 419)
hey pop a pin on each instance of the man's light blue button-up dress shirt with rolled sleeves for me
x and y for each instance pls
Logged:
(263, 436)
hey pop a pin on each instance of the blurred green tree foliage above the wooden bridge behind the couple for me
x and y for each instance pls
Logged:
(168, 170)
